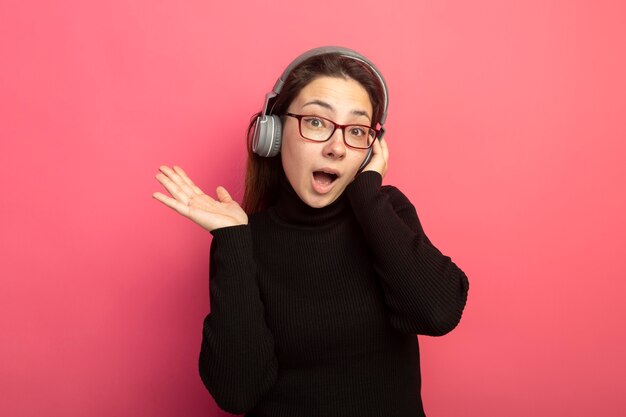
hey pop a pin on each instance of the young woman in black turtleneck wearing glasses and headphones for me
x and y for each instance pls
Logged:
(320, 285)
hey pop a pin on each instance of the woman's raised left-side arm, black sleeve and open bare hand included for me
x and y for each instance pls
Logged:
(237, 362)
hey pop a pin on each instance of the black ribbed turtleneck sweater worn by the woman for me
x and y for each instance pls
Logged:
(314, 312)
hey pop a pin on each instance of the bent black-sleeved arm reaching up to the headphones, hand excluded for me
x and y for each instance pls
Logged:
(424, 290)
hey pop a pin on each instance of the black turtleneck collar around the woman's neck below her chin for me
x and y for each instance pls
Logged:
(291, 209)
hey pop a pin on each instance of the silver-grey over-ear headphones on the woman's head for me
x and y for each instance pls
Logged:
(267, 134)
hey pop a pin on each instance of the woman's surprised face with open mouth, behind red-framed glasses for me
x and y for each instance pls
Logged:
(319, 172)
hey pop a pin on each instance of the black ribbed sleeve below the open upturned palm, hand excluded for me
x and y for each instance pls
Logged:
(237, 362)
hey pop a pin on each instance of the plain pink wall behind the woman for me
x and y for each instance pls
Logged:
(506, 130)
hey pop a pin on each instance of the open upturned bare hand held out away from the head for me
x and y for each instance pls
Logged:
(189, 201)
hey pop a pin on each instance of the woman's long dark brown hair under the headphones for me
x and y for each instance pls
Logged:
(263, 174)
